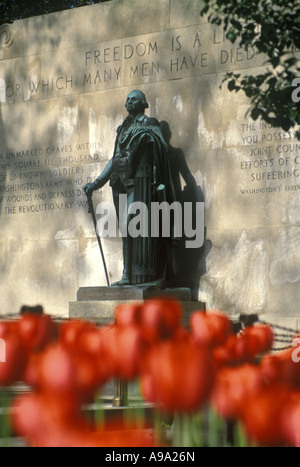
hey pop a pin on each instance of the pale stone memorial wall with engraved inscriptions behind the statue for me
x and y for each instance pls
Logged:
(64, 78)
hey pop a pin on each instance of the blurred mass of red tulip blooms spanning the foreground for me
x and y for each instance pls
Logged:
(178, 369)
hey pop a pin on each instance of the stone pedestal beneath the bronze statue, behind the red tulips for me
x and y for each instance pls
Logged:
(98, 303)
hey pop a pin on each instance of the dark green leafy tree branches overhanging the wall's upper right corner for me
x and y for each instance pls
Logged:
(272, 27)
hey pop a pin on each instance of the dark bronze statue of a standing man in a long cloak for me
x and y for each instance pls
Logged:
(138, 166)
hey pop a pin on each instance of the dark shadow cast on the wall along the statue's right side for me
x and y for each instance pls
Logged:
(189, 263)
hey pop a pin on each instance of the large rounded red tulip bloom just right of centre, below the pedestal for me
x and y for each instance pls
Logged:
(177, 375)
